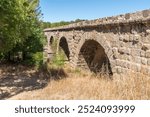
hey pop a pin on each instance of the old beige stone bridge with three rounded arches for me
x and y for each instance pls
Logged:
(113, 45)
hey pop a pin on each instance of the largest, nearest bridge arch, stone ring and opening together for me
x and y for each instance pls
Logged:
(94, 54)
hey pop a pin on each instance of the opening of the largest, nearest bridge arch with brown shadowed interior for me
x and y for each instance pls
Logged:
(92, 56)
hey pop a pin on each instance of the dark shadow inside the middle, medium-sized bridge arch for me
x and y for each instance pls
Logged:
(63, 44)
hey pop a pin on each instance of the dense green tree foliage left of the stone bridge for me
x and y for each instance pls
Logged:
(20, 28)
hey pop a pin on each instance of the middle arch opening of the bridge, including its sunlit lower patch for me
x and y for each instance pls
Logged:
(64, 49)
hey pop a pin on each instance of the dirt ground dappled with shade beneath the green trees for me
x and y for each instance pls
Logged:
(15, 79)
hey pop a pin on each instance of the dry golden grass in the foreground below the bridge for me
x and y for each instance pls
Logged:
(84, 85)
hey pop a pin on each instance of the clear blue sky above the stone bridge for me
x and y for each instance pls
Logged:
(67, 10)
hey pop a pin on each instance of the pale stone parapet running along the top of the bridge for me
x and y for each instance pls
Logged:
(140, 16)
